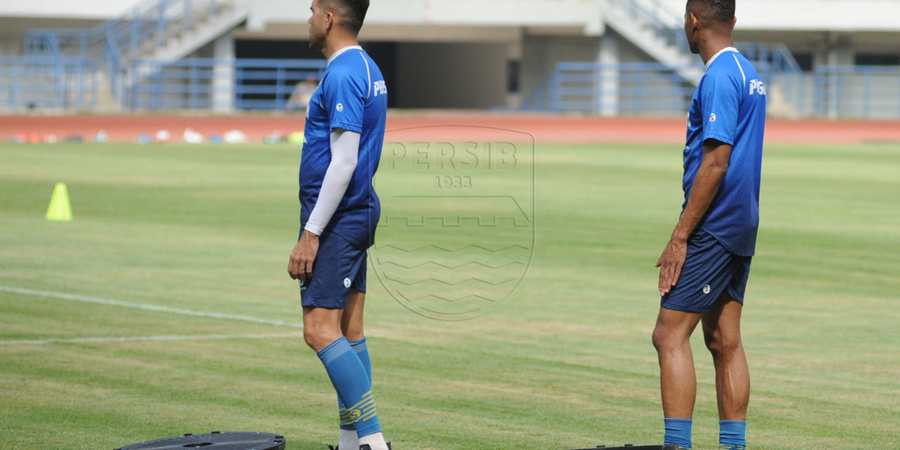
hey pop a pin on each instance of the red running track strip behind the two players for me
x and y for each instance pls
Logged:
(544, 128)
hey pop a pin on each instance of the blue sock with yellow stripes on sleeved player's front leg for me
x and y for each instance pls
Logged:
(352, 384)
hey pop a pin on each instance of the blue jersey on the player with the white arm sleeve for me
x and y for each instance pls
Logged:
(351, 96)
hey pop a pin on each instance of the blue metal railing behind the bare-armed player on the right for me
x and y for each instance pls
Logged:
(652, 89)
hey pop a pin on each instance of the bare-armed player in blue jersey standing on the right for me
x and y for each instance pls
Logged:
(704, 268)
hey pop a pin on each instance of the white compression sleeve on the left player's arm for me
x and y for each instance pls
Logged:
(344, 156)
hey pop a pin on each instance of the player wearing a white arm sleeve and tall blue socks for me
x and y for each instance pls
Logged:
(344, 133)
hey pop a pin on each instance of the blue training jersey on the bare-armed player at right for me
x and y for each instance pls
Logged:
(729, 106)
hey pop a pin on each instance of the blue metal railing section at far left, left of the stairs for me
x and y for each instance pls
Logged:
(29, 82)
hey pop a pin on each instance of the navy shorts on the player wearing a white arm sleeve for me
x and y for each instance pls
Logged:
(339, 267)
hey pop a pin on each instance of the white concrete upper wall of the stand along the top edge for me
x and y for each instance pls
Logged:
(586, 15)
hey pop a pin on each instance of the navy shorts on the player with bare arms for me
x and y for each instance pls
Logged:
(709, 270)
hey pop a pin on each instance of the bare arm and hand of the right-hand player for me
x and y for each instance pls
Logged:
(706, 184)
